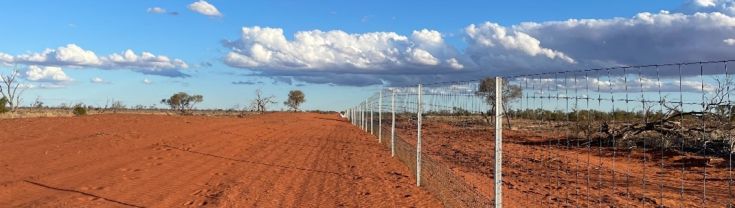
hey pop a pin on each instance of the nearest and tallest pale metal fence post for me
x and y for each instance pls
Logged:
(498, 142)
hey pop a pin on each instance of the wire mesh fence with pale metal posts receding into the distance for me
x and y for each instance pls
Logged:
(636, 136)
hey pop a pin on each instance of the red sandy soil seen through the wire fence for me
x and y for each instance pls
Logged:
(541, 170)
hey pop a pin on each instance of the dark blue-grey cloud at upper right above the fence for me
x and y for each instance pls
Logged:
(646, 38)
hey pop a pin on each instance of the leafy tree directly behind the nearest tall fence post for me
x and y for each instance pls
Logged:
(510, 94)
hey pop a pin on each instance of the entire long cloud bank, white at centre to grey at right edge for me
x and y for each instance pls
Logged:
(337, 57)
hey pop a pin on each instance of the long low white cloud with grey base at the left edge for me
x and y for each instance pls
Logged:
(74, 56)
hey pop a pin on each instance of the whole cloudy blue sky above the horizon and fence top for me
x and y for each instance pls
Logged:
(208, 43)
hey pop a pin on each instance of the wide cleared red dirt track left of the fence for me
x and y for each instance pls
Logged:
(272, 160)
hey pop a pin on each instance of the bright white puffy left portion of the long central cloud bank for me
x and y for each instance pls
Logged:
(268, 49)
